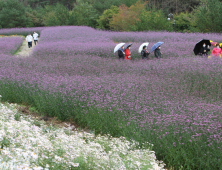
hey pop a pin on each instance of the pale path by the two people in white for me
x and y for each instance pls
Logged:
(24, 51)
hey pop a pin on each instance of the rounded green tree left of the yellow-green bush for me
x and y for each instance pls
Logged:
(83, 13)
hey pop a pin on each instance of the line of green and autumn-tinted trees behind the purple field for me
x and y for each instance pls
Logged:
(124, 15)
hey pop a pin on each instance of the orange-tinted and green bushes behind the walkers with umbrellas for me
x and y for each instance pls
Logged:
(137, 18)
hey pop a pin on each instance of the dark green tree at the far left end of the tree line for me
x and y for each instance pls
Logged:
(13, 14)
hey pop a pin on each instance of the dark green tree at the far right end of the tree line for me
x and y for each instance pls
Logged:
(208, 16)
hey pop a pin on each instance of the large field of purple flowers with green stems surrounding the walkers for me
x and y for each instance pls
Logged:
(173, 103)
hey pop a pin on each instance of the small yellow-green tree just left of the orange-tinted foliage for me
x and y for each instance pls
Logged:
(107, 16)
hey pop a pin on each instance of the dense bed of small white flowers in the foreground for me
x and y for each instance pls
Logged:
(26, 146)
